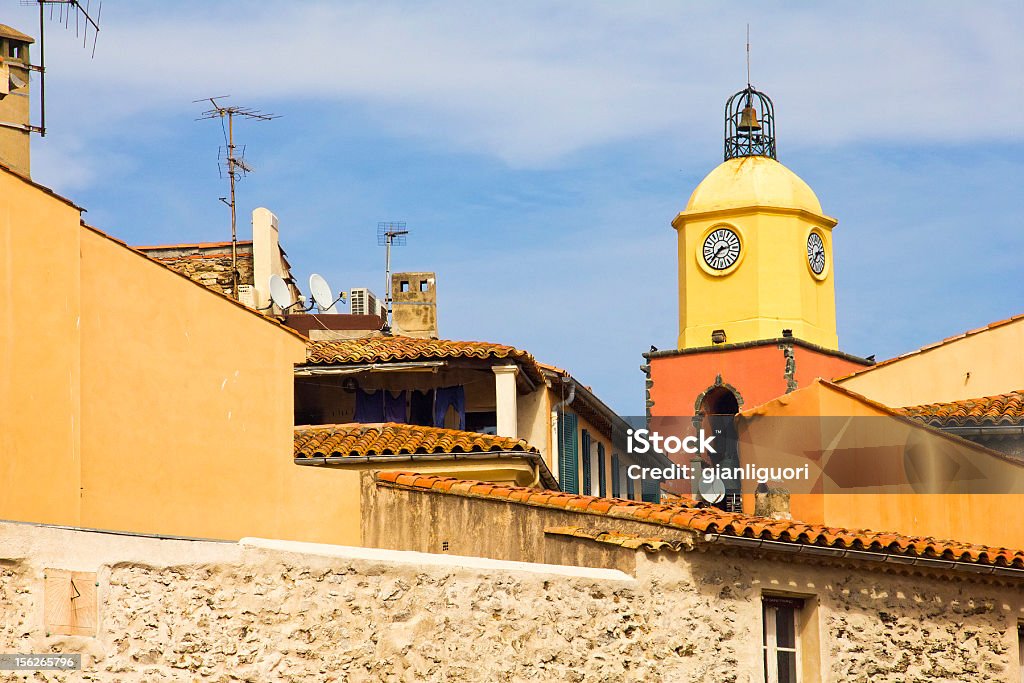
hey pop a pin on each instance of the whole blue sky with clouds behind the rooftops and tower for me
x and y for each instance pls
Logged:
(539, 151)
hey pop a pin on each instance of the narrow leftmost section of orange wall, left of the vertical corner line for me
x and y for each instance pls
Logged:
(40, 309)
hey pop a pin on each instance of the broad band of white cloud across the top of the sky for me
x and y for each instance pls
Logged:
(534, 82)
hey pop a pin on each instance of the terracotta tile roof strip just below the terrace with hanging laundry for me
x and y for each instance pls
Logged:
(355, 440)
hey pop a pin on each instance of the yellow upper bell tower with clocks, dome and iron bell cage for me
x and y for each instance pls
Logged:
(755, 247)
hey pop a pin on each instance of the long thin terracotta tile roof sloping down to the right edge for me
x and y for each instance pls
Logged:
(712, 521)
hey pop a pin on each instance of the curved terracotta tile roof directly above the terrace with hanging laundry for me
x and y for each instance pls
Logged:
(398, 349)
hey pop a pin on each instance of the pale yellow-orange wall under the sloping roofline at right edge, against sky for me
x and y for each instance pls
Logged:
(984, 364)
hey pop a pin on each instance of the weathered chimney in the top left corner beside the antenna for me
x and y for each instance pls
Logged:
(15, 126)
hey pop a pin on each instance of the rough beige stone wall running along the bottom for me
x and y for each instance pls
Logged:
(176, 610)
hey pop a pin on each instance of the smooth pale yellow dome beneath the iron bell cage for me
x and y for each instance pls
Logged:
(753, 182)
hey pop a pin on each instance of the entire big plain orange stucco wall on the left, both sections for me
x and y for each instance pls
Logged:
(120, 413)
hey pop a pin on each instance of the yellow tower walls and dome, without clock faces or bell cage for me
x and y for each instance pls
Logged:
(772, 287)
